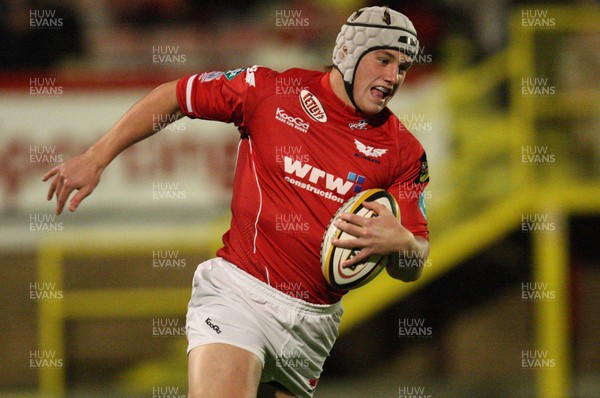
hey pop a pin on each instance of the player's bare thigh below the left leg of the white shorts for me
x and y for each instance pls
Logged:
(222, 370)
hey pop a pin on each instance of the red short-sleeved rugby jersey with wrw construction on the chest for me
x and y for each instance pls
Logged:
(302, 153)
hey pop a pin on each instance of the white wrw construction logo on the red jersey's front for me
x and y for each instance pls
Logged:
(306, 176)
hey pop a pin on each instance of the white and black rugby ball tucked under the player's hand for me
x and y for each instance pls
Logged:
(332, 257)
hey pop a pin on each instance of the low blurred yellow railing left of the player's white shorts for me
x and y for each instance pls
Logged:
(109, 303)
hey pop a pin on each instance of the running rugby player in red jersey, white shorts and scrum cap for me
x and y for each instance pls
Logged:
(261, 311)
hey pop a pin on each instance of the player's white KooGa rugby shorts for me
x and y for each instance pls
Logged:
(291, 337)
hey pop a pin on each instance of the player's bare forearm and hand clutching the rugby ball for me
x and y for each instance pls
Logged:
(384, 235)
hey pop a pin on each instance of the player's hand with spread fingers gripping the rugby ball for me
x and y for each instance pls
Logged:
(378, 235)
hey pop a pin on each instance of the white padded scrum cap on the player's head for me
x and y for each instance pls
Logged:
(368, 29)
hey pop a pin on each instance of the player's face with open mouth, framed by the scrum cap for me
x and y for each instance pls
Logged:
(378, 76)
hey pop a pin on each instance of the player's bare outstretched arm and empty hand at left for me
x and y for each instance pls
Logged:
(82, 173)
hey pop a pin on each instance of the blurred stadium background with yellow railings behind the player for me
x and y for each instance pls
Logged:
(505, 97)
